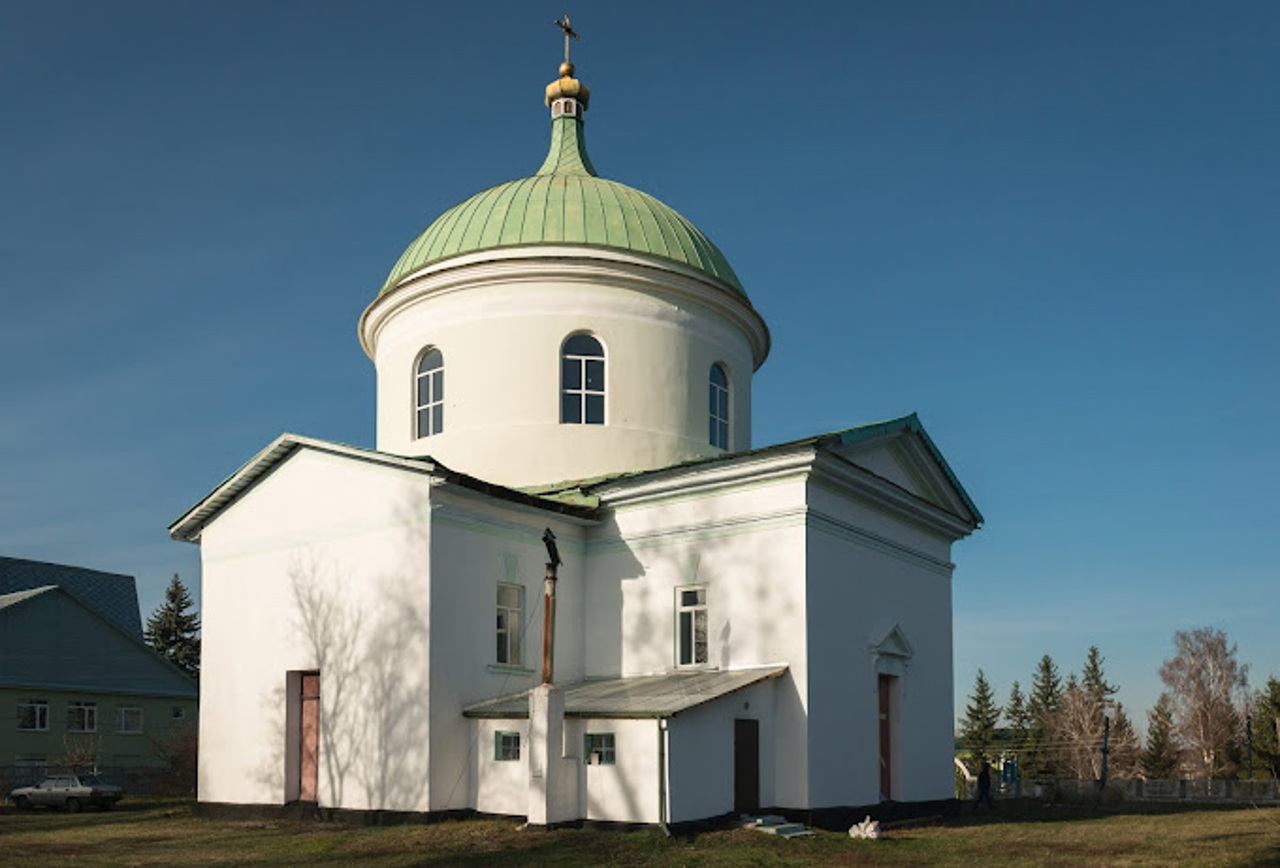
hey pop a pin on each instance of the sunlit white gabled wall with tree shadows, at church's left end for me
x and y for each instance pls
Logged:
(323, 565)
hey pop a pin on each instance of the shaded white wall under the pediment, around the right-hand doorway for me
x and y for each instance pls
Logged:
(861, 587)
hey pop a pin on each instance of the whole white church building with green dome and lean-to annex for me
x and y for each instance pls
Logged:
(734, 627)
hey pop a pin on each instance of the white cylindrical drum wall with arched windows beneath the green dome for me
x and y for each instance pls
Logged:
(500, 330)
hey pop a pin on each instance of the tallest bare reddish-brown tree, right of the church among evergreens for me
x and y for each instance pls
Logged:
(1206, 682)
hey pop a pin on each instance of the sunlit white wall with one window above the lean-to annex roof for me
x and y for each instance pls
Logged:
(747, 546)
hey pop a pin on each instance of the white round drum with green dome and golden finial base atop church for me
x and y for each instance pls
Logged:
(492, 294)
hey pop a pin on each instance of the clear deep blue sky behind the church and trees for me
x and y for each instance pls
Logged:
(1053, 230)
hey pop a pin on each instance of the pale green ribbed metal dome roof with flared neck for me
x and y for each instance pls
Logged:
(565, 203)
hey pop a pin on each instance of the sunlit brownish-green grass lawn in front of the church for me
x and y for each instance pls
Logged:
(141, 833)
